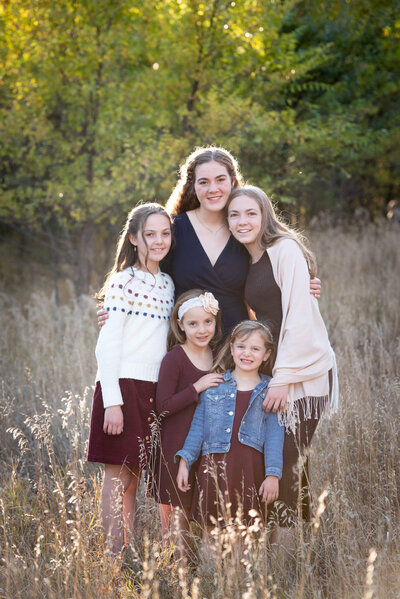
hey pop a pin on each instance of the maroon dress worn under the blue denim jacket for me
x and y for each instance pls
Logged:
(229, 478)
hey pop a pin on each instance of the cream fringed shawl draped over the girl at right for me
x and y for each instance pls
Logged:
(304, 357)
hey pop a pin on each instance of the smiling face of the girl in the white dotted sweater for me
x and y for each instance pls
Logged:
(153, 241)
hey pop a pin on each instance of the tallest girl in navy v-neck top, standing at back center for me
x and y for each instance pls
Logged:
(205, 254)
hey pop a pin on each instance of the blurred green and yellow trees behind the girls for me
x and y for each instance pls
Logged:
(100, 101)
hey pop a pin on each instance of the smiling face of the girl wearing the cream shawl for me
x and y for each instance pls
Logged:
(244, 220)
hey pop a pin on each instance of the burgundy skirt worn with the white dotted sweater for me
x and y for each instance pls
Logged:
(132, 446)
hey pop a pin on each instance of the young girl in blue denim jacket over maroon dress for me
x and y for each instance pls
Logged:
(241, 445)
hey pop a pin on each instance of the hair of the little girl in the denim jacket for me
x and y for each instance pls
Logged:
(243, 330)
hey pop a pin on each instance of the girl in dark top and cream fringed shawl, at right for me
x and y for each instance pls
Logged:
(277, 290)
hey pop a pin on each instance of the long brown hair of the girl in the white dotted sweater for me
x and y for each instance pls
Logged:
(126, 254)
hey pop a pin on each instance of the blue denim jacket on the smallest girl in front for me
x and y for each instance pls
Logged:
(210, 431)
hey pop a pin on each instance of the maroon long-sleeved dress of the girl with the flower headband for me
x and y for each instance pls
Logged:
(176, 402)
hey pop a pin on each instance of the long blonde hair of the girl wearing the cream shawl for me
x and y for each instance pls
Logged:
(272, 227)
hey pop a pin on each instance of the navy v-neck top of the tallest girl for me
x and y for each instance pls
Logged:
(190, 268)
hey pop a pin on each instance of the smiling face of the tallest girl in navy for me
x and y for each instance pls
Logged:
(212, 185)
